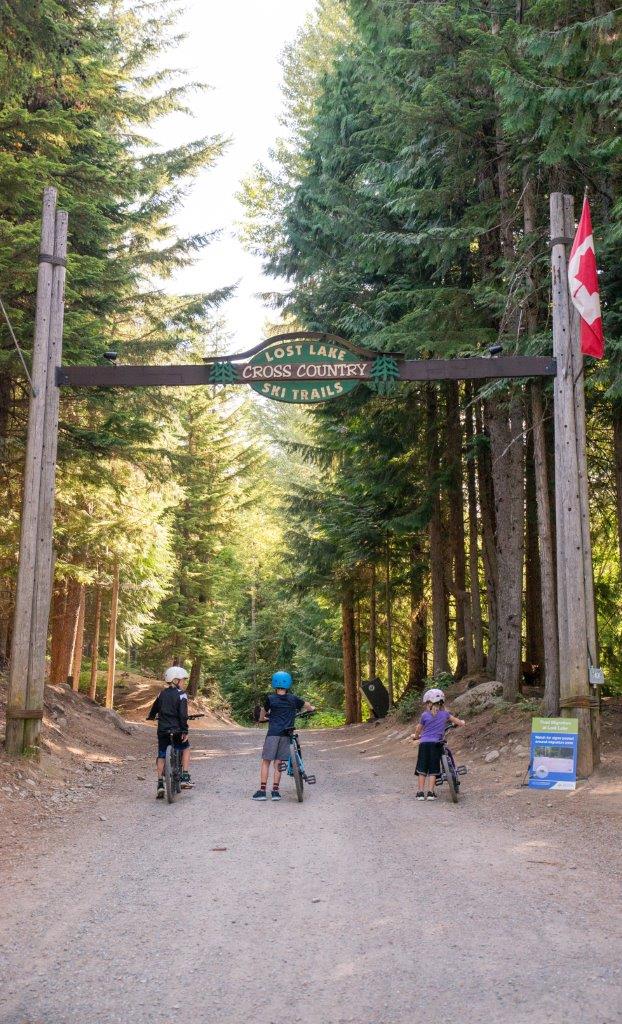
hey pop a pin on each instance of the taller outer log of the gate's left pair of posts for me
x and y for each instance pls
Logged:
(22, 636)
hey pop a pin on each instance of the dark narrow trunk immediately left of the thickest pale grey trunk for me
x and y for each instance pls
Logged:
(489, 551)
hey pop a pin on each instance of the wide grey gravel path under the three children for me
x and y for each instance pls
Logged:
(358, 907)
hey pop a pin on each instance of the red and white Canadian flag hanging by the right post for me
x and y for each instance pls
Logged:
(584, 282)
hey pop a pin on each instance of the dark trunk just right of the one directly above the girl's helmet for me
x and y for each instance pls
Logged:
(457, 522)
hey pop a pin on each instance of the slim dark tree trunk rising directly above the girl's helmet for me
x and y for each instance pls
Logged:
(437, 545)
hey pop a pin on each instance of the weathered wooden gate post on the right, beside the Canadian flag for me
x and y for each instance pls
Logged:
(574, 687)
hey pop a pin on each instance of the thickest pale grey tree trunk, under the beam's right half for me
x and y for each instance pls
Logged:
(507, 438)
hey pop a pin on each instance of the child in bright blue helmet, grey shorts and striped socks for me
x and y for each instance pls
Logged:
(280, 710)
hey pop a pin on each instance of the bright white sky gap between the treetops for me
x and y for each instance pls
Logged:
(235, 48)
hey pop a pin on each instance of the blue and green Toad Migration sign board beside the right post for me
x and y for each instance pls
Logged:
(554, 754)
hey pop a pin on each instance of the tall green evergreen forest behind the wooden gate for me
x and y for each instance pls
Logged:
(406, 532)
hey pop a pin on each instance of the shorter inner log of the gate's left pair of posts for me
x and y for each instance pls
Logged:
(43, 590)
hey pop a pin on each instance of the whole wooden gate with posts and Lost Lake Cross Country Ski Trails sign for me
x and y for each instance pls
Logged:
(309, 368)
